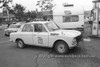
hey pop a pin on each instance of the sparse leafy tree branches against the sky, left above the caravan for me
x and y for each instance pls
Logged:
(45, 4)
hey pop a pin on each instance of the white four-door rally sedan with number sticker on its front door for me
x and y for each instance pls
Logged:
(46, 34)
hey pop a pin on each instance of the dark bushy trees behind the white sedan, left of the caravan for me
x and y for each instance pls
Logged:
(20, 14)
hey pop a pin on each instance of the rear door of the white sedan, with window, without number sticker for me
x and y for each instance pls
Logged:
(27, 33)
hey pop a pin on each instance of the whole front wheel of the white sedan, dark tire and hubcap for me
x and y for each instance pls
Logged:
(61, 47)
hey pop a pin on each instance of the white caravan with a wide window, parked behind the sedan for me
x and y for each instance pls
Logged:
(69, 17)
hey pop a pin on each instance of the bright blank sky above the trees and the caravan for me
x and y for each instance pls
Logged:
(31, 4)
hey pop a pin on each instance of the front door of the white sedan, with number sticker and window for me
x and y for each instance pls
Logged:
(41, 35)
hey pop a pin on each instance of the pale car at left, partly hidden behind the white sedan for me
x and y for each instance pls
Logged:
(11, 28)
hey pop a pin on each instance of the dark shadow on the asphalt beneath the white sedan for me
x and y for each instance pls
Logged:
(75, 51)
